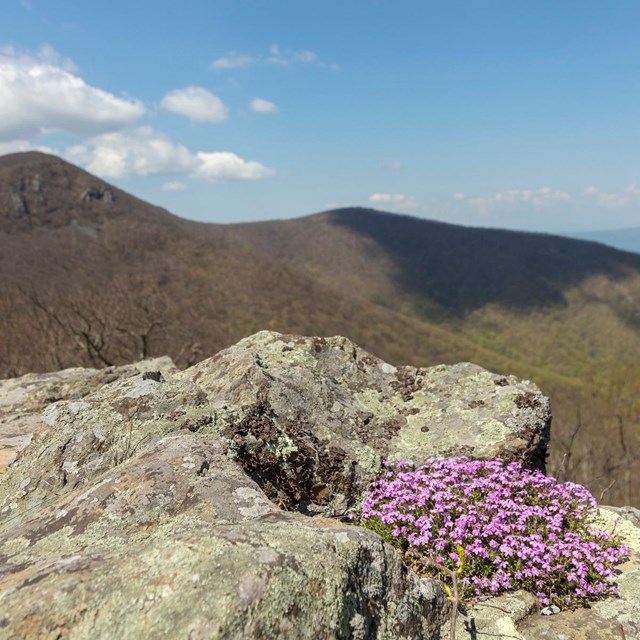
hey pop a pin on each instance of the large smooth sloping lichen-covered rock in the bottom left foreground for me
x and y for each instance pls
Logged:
(177, 542)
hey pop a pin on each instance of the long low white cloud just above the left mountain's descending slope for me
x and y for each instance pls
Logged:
(145, 151)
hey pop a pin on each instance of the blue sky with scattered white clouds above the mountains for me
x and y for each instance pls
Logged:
(520, 114)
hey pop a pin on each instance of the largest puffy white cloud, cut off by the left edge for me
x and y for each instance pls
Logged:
(42, 93)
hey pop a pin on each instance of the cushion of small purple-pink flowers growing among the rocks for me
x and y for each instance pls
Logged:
(511, 528)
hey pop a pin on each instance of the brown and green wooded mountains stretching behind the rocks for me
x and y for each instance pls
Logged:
(92, 276)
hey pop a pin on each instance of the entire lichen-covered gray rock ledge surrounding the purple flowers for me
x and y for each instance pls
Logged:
(143, 501)
